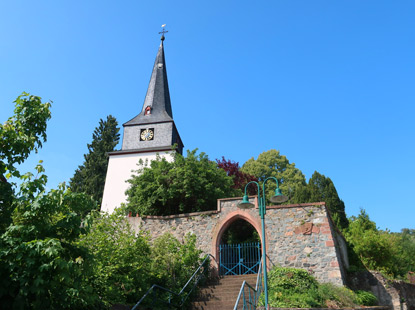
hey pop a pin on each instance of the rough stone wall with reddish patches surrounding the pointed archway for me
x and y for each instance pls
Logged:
(300, 235)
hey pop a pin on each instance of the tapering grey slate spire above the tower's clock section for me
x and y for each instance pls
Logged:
(158, 96)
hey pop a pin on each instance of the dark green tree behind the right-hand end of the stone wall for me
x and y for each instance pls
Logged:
(322, 188)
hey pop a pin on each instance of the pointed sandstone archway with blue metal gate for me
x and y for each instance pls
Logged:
(233, 255)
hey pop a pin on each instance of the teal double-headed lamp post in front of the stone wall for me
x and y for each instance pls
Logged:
(245, 204)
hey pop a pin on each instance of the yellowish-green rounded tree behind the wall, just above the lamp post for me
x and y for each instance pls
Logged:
(272, 164)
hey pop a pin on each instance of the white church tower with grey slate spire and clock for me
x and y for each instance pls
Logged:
(150, 133)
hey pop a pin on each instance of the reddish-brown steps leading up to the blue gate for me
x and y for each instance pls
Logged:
(222, 293)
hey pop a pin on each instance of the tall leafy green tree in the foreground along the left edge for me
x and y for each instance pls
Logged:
(40, 267)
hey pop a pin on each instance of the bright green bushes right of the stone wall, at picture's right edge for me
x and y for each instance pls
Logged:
(380, 250)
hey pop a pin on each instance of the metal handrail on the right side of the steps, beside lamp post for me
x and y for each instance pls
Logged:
(248, 295)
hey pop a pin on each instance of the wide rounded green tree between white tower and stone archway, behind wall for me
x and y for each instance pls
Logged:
(186, 184)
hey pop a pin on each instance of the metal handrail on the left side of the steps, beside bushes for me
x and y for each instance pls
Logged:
(162, 296)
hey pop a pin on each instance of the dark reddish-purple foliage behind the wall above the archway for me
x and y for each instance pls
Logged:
(240, 178)
